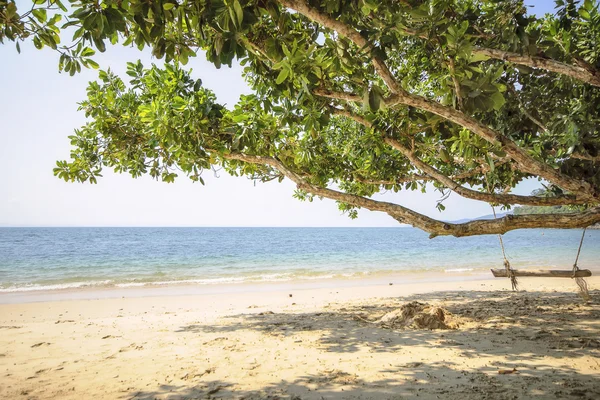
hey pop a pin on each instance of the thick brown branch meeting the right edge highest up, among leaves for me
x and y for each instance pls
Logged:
(548, 64)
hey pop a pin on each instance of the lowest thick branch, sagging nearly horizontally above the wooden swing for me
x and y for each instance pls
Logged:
(434, 227)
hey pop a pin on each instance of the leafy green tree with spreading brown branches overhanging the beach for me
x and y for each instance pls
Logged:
(350, 98)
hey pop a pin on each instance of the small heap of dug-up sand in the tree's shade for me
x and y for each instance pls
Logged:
(417, 315)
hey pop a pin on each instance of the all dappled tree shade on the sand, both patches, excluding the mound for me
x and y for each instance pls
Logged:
(522, 329)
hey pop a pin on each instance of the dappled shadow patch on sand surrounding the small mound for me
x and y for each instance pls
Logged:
(509, 316)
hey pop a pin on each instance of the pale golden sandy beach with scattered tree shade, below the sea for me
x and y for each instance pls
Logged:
(308, 343)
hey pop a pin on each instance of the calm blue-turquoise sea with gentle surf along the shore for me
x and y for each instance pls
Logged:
(59, 258)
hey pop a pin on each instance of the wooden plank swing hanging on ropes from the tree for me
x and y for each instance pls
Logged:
(574, 273)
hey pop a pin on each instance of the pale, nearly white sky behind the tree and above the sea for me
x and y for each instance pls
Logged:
(38, 110)
